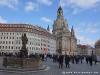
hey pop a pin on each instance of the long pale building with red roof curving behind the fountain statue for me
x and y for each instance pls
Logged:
(10, 38)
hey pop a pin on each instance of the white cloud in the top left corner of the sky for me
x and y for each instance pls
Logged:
(9, 3)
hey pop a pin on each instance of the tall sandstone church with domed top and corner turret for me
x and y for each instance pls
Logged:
(66, 42)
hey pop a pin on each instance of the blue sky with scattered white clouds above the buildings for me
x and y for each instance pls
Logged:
(83, 15)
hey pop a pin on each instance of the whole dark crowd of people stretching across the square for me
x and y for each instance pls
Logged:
(62, 58)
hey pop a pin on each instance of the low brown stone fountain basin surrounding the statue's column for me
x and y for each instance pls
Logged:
(22, 62)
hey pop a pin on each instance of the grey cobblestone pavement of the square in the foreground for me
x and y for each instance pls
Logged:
(53, 69)
